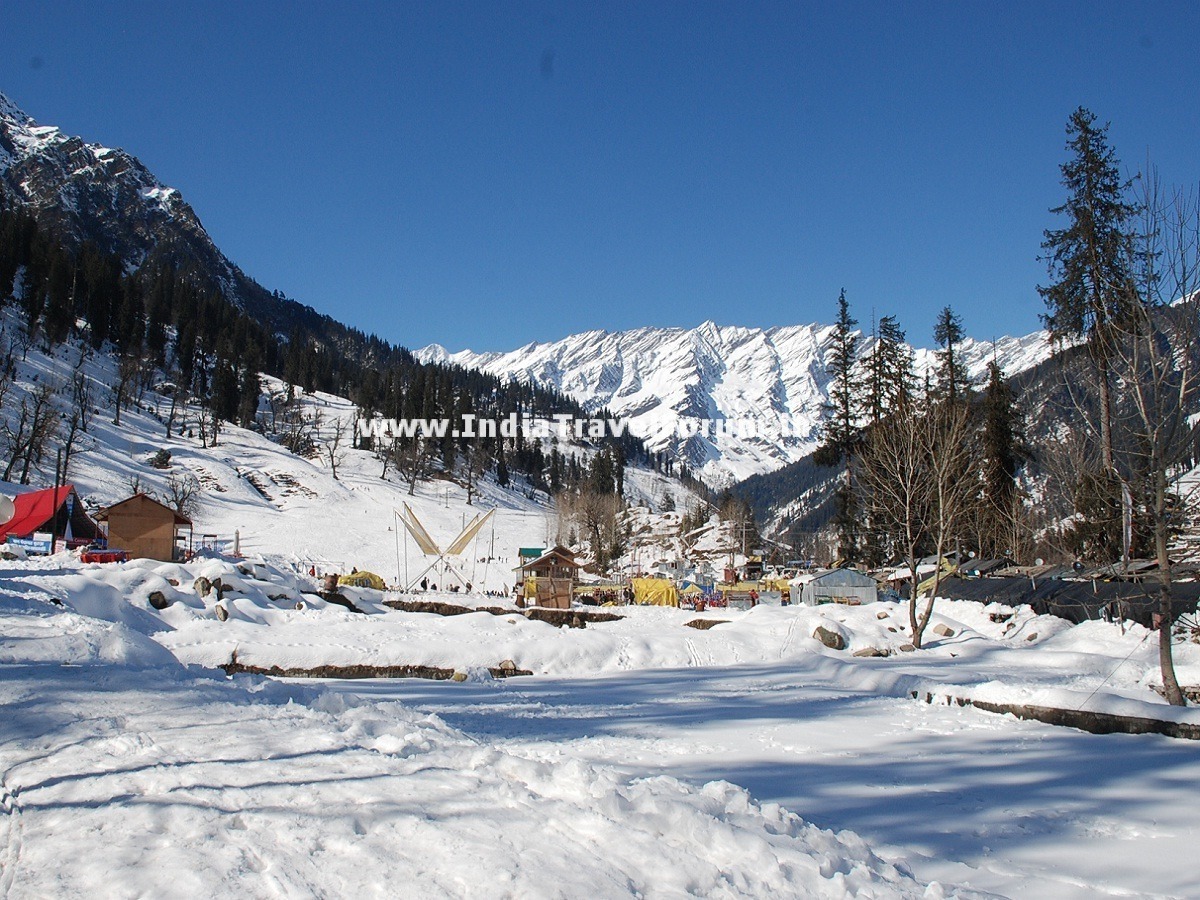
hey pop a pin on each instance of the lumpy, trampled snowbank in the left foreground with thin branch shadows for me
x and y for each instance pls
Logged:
(164, 784)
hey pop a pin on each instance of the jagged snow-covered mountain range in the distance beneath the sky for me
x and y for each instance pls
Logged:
(752, 379)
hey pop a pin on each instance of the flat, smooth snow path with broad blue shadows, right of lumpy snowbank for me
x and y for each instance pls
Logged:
(961, 796)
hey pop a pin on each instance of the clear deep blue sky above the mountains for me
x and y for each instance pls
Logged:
(487, 175)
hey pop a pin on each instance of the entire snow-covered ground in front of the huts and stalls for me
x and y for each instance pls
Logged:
(644, 758)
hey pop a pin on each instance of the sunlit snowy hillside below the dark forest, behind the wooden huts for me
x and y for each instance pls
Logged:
(286, 508)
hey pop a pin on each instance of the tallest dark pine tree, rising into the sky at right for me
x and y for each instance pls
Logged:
(1089, 260)
